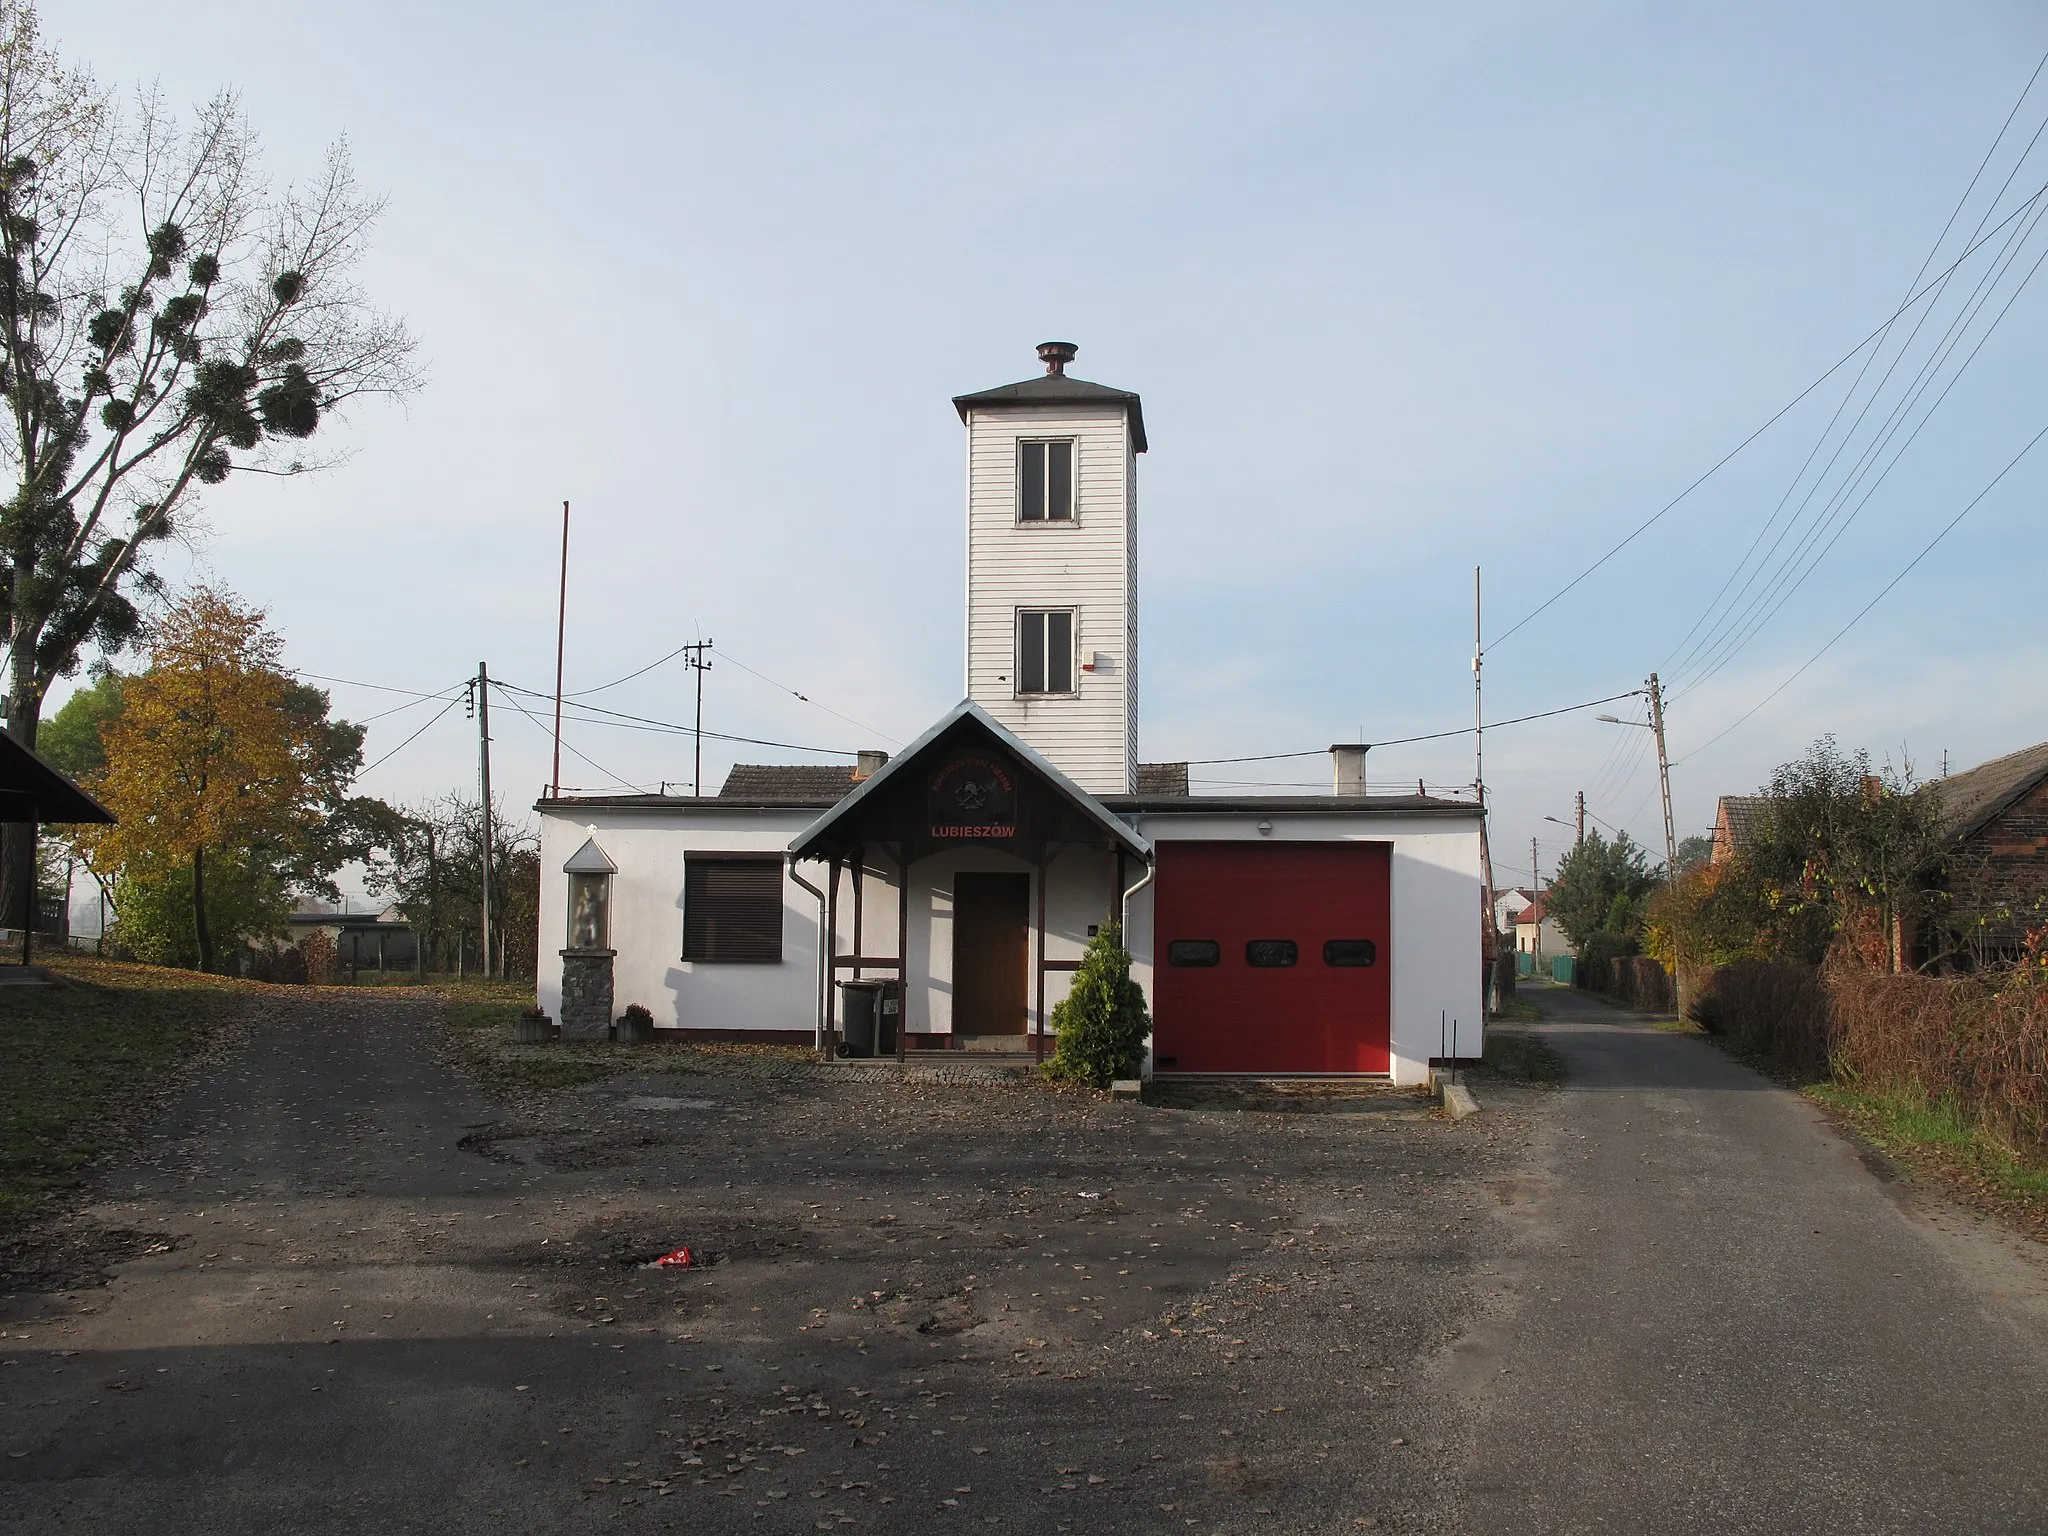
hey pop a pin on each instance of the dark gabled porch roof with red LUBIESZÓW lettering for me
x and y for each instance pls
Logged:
(906, 804)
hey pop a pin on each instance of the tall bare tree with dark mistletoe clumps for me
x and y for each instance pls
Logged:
(167, 321)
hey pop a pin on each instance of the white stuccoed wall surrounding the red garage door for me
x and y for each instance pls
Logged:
(1437, 900)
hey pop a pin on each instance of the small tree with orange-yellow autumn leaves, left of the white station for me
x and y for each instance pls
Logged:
(206, 761)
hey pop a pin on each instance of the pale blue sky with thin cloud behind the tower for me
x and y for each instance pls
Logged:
(1406, 292)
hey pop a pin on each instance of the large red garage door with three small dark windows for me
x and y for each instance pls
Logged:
(1273, 957)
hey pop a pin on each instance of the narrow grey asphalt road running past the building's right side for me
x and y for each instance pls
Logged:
(1719, 1316)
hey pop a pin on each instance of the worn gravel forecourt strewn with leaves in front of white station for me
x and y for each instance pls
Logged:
(388, 1304)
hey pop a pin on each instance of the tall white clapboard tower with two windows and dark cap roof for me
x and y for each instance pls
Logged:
(1054, 568)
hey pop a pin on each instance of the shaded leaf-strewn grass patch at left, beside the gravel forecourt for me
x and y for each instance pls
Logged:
(81, 1062)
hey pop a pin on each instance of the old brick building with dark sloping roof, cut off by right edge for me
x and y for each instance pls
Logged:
(1996, 859)
